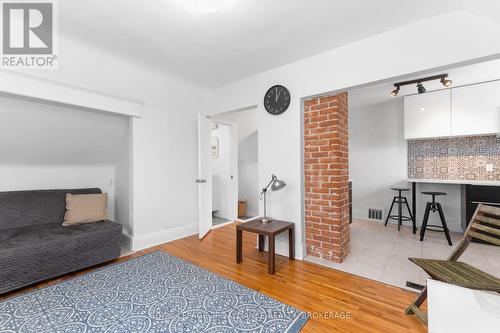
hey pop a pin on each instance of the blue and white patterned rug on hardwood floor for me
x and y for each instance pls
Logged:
(153, 293)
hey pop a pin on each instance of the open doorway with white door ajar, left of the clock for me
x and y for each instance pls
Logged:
(228, 168)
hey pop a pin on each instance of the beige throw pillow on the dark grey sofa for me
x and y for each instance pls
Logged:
(85, 208)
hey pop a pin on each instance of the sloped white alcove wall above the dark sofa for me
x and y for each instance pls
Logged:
(37, 133)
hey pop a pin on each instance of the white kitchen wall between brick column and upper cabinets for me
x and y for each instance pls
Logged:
(377, 154)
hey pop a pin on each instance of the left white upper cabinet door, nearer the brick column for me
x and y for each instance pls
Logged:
(427, 115)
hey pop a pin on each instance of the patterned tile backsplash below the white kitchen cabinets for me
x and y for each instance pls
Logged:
(462, 158)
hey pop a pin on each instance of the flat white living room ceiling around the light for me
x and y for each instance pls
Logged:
(245, 38)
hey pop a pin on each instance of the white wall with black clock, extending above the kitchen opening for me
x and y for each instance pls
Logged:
(411, 49)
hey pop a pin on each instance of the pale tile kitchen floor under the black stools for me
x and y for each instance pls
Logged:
(381, 253)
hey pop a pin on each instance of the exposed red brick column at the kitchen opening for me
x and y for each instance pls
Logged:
(326, 178)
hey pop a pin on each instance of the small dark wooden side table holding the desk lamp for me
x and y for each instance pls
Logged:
(270, 229)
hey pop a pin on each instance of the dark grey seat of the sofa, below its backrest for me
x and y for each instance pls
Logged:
(32, 254)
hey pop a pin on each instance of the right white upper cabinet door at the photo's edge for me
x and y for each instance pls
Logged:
(476, 109)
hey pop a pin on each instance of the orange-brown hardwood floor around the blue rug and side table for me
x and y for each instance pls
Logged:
(373, 306)
